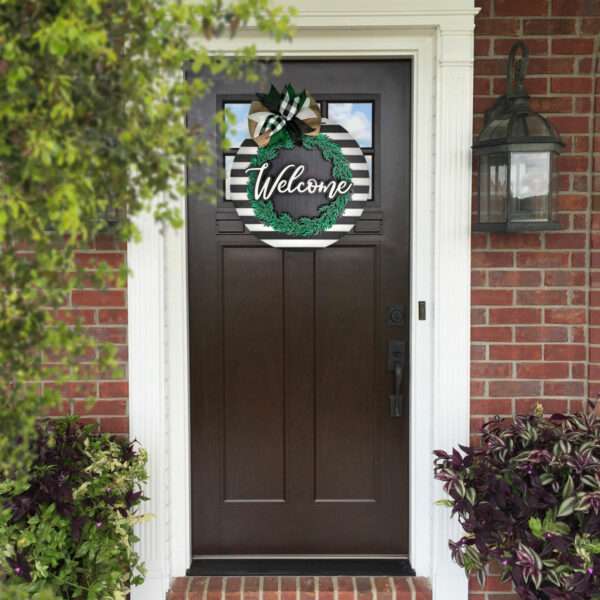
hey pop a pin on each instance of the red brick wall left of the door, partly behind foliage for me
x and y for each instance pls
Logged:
(104, 313)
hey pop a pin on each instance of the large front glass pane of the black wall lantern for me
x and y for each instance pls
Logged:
(530, 186)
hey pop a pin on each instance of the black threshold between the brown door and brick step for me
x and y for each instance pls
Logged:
(236, 567)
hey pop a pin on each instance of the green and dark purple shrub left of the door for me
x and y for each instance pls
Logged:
(68, 528)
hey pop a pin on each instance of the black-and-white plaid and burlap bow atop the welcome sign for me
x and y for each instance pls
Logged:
(297, 113)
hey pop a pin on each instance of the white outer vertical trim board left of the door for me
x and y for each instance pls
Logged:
(148, 421)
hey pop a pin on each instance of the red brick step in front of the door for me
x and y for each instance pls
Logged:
(299, 588)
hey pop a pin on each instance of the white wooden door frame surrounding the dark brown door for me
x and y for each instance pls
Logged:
(439, 40)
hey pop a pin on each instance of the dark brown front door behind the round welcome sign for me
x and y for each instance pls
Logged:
(294, 447)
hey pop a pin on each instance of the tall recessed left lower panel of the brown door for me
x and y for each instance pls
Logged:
(253, 375)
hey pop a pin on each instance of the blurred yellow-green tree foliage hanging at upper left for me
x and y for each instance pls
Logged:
(92, 125)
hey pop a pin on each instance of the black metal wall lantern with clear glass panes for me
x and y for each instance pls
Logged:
(517, 151)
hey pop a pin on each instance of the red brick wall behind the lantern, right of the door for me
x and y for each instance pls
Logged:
(536, 311)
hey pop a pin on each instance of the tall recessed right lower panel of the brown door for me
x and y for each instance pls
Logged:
(345, 427)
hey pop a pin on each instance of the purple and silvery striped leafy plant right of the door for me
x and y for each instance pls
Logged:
(529, 499)
